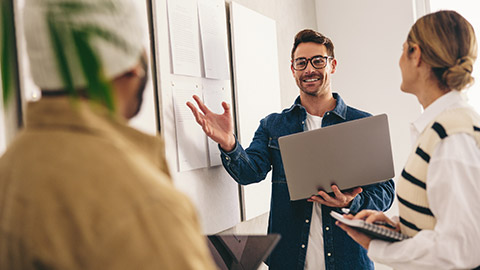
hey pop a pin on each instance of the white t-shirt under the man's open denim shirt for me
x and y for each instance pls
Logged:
(315, 259)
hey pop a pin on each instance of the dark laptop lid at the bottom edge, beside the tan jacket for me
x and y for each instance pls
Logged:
(239, 252)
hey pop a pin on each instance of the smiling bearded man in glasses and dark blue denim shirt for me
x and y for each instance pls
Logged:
(310, 239)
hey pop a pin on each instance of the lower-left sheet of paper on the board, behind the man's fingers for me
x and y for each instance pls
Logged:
(191, 140)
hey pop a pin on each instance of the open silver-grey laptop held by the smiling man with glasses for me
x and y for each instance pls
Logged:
(349, 154)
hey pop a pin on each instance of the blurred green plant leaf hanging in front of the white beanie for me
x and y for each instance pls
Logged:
(66, 31)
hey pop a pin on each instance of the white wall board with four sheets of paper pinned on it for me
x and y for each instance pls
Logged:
(193, 162)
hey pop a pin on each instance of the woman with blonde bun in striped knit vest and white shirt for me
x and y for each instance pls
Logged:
(439, 186)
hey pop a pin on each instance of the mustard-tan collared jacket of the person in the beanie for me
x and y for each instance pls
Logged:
(79, 189)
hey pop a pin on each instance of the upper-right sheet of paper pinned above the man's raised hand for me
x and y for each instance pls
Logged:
(213, 32)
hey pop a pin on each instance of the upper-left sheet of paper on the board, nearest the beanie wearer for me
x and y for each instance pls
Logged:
(184, 37)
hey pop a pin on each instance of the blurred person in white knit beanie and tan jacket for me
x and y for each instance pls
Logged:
(79, 188)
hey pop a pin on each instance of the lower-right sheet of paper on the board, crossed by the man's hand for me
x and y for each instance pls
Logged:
(215, 92)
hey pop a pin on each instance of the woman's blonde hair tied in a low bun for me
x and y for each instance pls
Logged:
(448, 44)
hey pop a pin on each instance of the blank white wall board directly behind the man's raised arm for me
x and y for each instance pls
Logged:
(257, 88)
